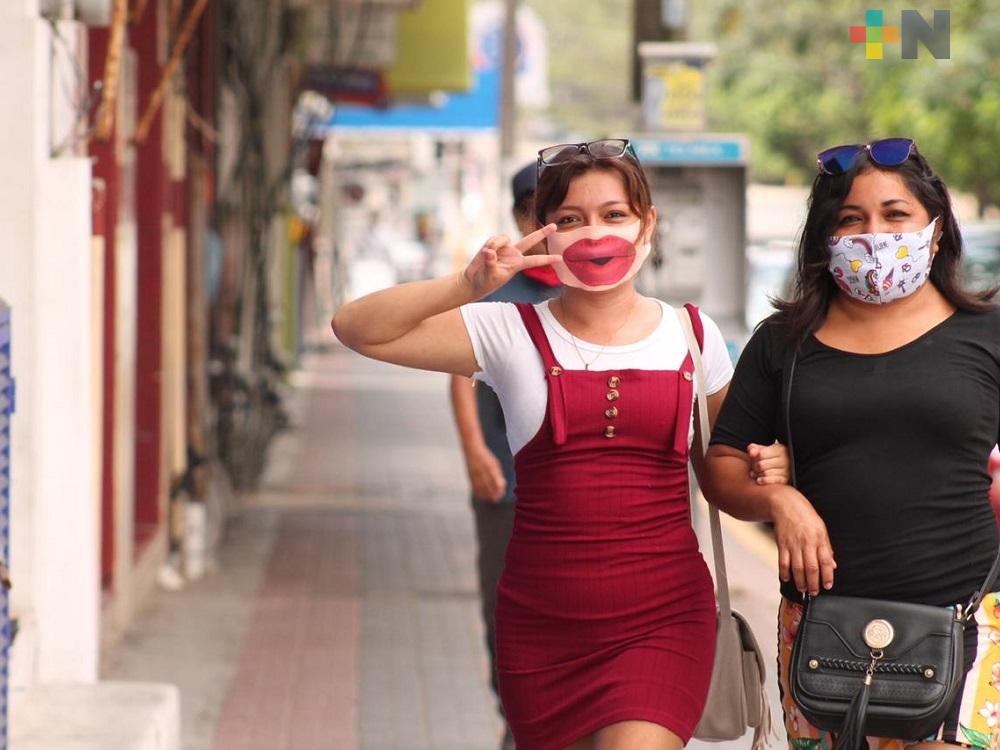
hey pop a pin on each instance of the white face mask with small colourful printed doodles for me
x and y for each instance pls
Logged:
(880, 268)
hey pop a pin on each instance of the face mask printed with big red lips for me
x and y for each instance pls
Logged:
(598, 257)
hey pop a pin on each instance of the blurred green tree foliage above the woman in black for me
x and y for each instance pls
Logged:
(789, 76)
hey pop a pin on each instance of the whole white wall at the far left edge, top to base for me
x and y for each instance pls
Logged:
(47, 274)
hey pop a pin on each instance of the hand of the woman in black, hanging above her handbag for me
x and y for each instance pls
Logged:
(805, 554)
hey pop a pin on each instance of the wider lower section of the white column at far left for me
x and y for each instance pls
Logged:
(67, 422)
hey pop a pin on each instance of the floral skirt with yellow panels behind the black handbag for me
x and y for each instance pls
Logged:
(974, 721)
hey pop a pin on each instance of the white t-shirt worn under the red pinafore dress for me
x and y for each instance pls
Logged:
(509, 362)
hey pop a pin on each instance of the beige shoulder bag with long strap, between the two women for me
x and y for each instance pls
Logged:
(737, 700)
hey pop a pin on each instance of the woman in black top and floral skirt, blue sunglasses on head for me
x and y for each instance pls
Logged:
(894, 409)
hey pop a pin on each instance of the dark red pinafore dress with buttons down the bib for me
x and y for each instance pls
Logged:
(605, 610)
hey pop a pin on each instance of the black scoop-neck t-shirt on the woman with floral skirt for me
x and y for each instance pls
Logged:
(891, 449)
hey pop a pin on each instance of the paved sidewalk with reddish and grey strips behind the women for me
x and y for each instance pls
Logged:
(344, 611)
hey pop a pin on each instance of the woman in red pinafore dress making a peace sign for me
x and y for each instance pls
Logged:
(605, 610)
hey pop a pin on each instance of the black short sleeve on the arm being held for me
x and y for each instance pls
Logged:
(752, 406)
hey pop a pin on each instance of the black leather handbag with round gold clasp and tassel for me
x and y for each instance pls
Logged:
(871, 667)
